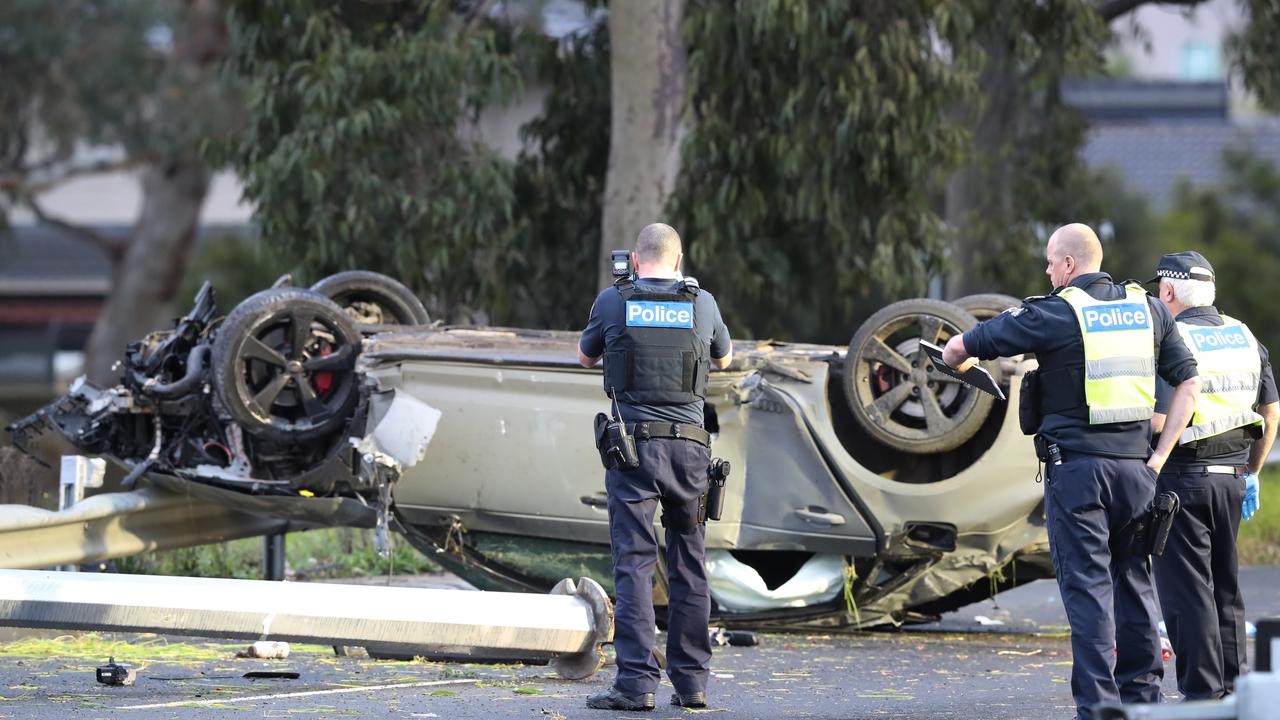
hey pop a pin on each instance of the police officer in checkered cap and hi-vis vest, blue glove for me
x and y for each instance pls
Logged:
(1218, 457)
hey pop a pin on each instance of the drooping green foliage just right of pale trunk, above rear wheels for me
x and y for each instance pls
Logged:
(810, 177)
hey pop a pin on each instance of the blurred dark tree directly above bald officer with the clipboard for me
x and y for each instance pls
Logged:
(1022, 165)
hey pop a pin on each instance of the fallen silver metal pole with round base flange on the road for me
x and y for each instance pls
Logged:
(566, 627)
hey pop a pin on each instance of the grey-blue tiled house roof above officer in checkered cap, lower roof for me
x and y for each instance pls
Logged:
(1151, 158)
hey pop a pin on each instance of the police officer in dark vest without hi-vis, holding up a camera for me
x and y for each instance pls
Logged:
(659, 336)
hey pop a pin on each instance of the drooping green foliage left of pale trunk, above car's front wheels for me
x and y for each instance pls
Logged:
(353, 152)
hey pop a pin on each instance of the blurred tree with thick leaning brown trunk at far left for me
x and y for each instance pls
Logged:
(138, 80)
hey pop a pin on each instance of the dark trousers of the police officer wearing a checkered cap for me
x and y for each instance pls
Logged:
(1200, 594)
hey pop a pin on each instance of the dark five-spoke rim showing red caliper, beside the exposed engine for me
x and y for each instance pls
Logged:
(296, 370)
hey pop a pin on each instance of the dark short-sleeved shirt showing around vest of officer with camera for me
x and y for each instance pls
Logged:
(609, 322)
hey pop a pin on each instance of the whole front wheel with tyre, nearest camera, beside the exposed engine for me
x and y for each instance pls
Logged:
(284, 384)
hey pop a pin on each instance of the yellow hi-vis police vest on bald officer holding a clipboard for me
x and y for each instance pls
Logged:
(1119, 354)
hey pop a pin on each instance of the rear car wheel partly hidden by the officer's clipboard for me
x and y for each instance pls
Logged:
(895, 394)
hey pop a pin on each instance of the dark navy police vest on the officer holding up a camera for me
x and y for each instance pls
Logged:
(660, 358)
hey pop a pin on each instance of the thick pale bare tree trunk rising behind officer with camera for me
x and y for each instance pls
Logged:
(648, 76)
